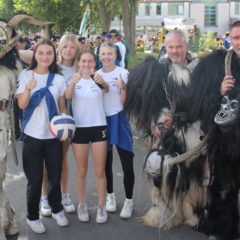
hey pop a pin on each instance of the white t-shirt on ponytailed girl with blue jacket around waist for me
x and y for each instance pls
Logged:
(112, 101)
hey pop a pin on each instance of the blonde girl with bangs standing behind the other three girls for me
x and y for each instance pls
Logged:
(68, 52)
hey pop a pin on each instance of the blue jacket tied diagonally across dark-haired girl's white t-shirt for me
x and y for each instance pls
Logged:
(35, 100)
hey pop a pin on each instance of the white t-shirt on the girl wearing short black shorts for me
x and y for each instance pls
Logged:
(87, 104)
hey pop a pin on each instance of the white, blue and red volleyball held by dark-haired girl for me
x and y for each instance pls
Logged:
(62, 127)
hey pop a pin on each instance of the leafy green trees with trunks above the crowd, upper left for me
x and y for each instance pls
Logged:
(67, 14)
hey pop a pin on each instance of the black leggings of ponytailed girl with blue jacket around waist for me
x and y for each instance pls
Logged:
(126, 158)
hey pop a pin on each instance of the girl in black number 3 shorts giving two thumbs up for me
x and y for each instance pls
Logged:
(87, 106)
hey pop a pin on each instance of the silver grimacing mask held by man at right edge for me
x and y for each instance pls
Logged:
(228, 112)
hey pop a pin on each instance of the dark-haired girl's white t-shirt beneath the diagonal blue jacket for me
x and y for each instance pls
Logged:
(38, 125)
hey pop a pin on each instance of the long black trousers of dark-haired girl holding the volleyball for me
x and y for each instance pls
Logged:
(36, 152)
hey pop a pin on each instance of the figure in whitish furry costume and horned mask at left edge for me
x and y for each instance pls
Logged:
(9, 67)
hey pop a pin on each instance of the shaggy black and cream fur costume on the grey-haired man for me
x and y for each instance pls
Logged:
(179, 191)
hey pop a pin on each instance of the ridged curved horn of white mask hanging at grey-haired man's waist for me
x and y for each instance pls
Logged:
(190, 155)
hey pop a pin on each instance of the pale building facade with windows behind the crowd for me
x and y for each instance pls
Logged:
(209, 15)
